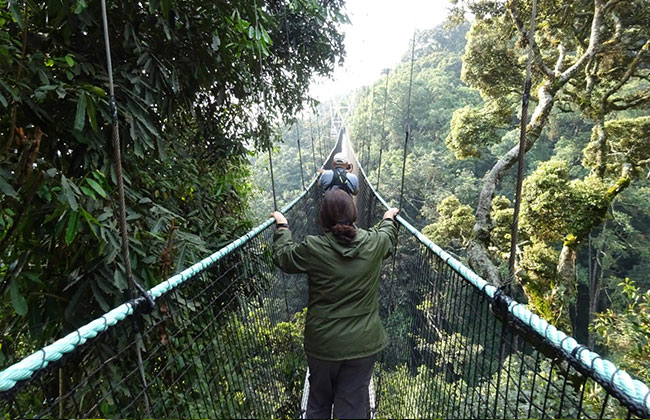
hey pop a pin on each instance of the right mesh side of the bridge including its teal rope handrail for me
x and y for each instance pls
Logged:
(459, 348)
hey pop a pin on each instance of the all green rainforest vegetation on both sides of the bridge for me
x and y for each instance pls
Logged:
(204, 91)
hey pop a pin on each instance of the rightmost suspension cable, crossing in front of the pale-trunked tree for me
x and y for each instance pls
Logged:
(522, 149)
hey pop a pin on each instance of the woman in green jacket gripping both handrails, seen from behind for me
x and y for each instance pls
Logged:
(343, 332)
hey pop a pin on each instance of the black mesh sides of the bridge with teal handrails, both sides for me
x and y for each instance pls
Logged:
(225, 337)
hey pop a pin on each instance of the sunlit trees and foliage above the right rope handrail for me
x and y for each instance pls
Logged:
(585, 212)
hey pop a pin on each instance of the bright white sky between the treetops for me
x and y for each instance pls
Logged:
(378, 36)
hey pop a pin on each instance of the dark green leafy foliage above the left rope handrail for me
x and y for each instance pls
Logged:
(199, 86)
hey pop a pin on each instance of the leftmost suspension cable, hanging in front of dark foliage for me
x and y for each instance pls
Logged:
(117, 157)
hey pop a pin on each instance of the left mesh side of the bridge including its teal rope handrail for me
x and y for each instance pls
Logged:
(224, 340)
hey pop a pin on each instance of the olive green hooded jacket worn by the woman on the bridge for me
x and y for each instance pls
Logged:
(343, 313)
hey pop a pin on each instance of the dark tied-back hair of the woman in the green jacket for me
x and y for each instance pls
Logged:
(337, 215)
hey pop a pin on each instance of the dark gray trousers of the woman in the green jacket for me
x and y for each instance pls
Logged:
(343, 383)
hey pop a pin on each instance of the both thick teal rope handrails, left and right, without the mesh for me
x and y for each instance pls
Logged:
(602, 370)
